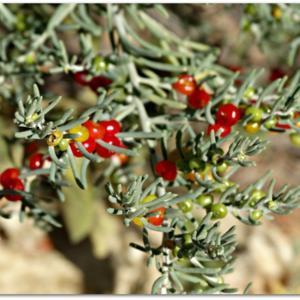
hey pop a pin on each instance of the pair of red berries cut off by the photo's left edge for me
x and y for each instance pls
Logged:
(9, 179)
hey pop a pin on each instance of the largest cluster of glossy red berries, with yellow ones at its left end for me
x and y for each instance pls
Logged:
(87, 134)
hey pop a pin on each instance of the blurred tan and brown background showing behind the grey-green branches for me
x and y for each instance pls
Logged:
(91, 253)
